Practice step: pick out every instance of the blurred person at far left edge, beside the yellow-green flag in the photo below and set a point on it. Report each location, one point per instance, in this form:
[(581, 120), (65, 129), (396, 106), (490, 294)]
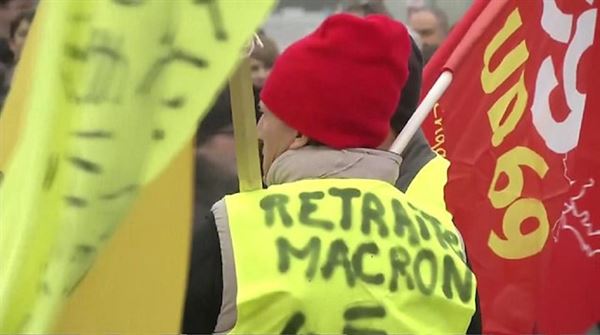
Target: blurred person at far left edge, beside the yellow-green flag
[(18, 31)]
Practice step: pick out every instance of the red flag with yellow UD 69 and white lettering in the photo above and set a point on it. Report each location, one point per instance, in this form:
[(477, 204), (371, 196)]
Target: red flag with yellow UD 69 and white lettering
[(519, 125)]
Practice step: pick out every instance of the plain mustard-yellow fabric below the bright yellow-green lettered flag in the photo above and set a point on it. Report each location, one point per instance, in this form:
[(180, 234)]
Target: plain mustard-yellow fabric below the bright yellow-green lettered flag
[(137, 284)]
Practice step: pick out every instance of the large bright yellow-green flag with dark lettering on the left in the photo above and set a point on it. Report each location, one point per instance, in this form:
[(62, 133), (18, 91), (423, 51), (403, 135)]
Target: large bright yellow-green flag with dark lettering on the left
[(115, 90)]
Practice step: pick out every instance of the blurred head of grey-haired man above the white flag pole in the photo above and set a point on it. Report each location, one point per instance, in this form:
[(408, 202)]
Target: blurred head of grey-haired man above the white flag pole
[(431, 24)]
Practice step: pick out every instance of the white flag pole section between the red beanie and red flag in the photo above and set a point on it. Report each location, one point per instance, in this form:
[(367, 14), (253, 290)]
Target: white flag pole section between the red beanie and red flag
[(434, 94)]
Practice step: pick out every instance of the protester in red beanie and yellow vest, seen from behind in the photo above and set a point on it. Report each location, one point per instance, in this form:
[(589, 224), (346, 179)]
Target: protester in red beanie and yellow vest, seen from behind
[(327, 106)]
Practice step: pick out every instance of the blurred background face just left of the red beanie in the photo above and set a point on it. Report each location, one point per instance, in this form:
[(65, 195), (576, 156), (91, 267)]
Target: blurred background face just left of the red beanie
[(262, 60)]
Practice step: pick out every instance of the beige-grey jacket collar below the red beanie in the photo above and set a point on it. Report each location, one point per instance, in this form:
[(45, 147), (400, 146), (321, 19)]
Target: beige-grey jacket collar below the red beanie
[(319, 162)]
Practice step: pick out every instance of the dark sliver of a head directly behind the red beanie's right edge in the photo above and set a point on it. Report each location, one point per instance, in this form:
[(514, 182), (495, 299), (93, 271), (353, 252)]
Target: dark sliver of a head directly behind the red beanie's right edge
[(411, 93)]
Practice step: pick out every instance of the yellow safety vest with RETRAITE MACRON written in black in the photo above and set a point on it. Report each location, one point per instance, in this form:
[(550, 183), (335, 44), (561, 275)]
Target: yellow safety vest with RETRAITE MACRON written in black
[(345, 256)]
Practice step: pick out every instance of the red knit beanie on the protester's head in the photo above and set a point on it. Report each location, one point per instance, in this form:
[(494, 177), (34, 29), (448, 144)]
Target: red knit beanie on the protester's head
[(341, 84)]
